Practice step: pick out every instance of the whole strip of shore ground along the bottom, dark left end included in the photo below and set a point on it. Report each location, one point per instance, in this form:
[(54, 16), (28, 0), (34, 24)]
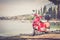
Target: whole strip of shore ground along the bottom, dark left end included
[(37, 37)]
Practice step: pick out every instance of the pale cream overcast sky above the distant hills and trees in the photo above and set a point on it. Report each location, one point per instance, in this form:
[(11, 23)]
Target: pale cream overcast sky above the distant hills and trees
[(20, 7)]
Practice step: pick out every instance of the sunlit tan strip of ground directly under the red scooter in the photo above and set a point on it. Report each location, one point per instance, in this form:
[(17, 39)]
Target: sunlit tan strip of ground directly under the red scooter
[(43, 36)]
